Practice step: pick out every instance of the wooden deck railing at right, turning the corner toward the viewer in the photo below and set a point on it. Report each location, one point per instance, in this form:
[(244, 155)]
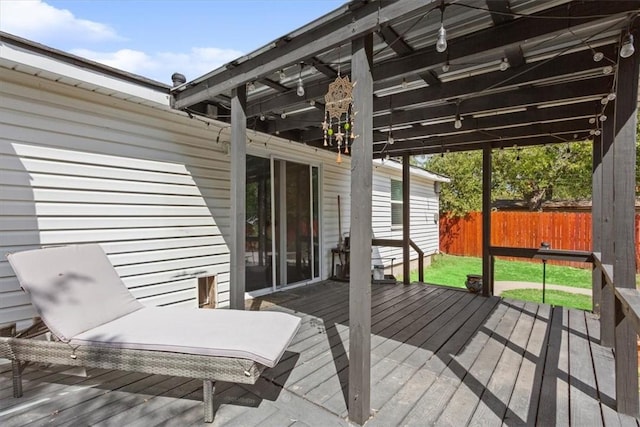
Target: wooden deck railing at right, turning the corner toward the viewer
[(624, 309)]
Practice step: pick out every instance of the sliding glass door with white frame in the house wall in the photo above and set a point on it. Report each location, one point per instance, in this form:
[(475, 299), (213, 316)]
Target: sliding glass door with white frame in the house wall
[(286, 197)]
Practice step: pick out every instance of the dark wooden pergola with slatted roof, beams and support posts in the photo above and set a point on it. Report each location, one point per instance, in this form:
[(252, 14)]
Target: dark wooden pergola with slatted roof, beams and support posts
[(550, 93)]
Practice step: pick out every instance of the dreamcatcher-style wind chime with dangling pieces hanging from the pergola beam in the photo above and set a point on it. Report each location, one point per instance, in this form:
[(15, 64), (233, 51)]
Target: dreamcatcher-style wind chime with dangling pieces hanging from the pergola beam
[(338, 115)]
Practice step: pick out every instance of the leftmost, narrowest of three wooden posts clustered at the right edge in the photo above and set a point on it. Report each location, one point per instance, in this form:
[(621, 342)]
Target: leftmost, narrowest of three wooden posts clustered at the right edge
[(596, 221)]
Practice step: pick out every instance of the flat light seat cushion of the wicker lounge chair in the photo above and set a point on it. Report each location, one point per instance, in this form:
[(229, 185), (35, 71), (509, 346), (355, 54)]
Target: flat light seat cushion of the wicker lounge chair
[(260, 336)]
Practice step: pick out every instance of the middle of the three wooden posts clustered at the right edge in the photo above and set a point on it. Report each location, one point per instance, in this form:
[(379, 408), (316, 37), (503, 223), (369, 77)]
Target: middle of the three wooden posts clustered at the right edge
[(607, 297)]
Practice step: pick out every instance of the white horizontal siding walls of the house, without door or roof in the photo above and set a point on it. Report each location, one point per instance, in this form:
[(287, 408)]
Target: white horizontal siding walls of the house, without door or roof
[(150, 185)]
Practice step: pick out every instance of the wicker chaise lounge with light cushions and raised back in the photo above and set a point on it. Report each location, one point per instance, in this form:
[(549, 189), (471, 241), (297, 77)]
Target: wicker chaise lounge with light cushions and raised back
[(97, 323)]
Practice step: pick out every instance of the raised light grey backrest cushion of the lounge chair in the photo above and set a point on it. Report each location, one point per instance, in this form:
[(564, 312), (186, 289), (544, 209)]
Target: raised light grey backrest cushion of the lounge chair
[(73, 288)]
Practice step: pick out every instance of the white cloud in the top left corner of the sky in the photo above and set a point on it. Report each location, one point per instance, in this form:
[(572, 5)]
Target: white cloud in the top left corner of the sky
[(36, 20)]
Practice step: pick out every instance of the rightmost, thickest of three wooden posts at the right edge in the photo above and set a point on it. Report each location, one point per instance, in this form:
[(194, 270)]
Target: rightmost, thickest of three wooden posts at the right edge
[(624, 160)]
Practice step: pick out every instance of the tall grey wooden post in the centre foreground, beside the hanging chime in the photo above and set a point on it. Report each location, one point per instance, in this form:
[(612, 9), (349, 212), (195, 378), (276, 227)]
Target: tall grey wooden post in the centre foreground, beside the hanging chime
[(361, 193)]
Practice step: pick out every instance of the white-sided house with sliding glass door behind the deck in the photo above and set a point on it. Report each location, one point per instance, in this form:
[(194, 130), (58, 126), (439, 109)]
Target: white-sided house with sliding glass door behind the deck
[(93, 154)]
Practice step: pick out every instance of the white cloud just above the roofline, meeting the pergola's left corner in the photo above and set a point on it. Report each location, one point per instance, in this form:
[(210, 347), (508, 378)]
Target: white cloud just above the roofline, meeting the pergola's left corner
[(159, 66)]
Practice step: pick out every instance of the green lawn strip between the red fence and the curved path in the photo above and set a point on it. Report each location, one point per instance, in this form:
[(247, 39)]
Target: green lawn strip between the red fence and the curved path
[(452, 271)]
